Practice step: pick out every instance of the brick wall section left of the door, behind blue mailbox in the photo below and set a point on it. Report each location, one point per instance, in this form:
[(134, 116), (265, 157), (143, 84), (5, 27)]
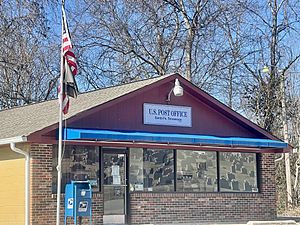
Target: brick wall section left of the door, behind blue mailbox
[(43, 202)]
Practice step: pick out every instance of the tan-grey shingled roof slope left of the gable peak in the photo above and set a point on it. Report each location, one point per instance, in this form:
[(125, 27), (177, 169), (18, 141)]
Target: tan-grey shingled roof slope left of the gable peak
[(25, 120)]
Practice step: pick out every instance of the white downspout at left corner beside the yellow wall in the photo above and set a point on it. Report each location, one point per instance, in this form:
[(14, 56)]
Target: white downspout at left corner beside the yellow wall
[(27, 181)]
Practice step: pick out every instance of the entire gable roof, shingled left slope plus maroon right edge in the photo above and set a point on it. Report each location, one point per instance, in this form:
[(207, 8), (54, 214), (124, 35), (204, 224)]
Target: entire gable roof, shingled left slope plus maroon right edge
[(20, 122)]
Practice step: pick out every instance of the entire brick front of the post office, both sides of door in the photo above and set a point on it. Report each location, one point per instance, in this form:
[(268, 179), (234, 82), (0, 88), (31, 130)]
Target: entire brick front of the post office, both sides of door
[(159, 207)]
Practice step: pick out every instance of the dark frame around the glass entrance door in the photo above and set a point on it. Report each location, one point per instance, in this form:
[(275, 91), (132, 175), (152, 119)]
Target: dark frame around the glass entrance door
[(116, 150)]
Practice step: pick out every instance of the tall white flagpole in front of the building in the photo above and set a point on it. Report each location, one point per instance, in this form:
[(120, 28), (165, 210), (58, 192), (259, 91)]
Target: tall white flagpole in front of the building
[(60, 127)]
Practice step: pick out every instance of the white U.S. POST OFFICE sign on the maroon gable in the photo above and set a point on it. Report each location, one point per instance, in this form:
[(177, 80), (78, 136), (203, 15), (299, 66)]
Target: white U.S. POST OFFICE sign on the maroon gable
[(169, 115)]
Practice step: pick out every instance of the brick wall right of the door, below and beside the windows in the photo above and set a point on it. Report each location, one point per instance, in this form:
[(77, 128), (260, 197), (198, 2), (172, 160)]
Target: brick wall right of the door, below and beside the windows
[(214, 207)]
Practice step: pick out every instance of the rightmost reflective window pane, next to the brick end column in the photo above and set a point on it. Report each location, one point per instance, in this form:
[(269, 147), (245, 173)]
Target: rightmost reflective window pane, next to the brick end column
[(238, 172)]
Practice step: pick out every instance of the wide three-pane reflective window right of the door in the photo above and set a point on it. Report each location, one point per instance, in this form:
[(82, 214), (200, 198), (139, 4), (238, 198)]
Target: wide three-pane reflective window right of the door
[(196, 171)]
